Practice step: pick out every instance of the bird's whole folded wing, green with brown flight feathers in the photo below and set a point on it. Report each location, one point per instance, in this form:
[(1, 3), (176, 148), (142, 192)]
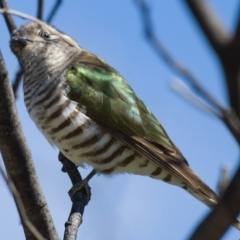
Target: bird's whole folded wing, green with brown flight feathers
[(112, 103)]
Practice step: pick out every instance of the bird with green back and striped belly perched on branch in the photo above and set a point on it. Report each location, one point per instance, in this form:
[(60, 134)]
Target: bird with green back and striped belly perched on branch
[(85, 108)]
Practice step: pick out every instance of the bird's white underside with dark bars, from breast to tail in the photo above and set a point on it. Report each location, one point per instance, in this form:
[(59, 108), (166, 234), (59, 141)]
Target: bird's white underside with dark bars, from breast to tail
[(83, 141)]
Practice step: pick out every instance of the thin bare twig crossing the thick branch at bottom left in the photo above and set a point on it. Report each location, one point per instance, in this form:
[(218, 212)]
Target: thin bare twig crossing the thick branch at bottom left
[(20, 206)]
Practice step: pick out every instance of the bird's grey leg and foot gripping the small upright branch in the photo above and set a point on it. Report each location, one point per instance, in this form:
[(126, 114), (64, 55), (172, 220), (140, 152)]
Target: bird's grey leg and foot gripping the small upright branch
[(83, 184)]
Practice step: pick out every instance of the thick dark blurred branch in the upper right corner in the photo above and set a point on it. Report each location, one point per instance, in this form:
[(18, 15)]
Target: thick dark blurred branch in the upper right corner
[(225, 44)]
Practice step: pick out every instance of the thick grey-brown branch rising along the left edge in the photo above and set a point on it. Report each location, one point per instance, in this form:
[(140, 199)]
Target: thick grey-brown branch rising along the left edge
[(18, 161)]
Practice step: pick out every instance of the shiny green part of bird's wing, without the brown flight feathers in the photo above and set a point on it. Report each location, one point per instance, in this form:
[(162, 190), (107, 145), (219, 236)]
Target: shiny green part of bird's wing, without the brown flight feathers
[(109, 99)]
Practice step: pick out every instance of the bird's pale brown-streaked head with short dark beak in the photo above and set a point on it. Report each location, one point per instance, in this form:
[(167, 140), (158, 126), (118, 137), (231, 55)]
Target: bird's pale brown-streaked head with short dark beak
[(41, 42)]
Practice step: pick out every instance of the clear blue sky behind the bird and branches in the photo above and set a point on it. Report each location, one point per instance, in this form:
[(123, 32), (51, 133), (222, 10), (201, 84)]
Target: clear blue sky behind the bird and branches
[(127, 206)]
